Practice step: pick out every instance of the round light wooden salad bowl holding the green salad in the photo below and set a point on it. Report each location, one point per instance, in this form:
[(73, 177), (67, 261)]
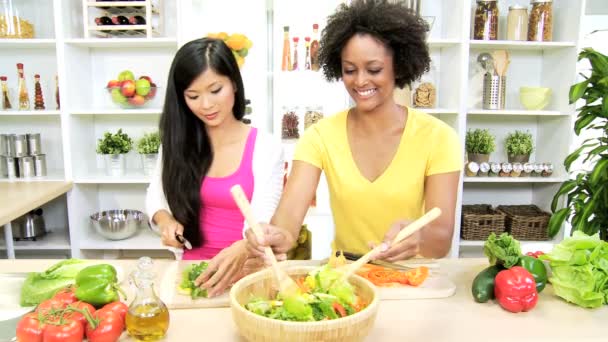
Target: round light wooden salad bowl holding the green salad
[(258, 328)]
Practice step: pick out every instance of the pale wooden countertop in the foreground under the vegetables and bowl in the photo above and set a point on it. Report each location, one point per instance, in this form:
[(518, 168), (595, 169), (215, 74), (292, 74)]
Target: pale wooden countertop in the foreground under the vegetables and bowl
[(457, 318)]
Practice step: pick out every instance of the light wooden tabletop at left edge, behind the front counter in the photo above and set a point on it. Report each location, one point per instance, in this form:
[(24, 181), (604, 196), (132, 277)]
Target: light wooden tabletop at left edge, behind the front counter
[(17, 198)]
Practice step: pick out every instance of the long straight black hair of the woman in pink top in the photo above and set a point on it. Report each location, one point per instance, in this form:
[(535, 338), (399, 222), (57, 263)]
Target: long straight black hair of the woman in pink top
[(187, 153)]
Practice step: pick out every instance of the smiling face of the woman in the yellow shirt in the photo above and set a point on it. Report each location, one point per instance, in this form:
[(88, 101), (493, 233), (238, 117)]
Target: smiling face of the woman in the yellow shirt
[(367, 71)]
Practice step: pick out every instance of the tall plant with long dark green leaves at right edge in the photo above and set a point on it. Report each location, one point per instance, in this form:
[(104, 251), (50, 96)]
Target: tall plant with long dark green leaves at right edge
[(587, 193)]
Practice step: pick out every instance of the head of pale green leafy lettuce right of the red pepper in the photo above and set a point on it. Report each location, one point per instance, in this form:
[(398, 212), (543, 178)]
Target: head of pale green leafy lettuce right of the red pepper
[(579, 266)]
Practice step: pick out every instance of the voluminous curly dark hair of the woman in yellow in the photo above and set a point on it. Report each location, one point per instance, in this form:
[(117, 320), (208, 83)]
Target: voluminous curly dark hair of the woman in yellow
[(400, 29)]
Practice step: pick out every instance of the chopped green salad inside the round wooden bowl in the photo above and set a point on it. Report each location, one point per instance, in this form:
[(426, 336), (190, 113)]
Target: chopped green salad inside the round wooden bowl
[(324, 296)]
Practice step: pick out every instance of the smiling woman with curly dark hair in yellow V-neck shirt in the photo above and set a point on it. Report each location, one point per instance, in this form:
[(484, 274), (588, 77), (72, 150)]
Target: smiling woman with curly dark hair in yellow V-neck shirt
[(385, 164)]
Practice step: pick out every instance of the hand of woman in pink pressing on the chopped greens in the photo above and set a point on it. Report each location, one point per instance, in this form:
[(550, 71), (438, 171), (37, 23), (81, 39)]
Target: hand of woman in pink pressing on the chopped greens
[(223, 269)]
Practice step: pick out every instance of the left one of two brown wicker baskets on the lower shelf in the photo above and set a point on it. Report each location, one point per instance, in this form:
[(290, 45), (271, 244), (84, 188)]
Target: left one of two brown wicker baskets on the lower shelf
[(479, 220)]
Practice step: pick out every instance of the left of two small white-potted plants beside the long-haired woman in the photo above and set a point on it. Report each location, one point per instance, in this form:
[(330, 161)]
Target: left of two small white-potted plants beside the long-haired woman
[(114, 147)]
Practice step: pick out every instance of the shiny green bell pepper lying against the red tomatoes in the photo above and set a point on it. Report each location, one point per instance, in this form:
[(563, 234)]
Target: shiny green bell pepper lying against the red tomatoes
[(98, 285)]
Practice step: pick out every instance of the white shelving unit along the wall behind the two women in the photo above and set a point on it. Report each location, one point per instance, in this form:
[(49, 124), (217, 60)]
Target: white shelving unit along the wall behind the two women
[(85, 65)]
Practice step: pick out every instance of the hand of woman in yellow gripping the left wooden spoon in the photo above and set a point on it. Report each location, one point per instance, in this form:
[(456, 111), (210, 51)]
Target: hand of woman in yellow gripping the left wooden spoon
[(277, 238)]
